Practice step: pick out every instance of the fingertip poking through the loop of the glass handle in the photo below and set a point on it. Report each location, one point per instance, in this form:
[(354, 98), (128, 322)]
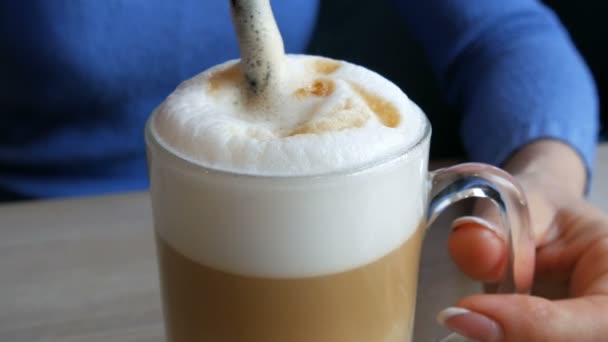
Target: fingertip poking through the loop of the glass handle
[(477, 249)]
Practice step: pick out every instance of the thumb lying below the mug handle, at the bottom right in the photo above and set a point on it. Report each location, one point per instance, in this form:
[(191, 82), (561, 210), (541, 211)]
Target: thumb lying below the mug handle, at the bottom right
[(494, 318)]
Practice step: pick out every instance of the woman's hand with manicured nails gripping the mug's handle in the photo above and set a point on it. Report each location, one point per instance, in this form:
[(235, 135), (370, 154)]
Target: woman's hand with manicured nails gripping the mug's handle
[(569, 300)]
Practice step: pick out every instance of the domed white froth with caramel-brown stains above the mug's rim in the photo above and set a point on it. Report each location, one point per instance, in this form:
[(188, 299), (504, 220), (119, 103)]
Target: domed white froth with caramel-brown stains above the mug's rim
[(329, 116)]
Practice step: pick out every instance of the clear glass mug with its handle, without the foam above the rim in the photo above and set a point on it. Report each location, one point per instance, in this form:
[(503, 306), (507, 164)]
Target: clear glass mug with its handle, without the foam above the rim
[(330, 257)]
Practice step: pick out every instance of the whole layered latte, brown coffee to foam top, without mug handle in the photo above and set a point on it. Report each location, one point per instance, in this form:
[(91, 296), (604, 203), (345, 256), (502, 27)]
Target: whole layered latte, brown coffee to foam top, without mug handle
[(302, 223)]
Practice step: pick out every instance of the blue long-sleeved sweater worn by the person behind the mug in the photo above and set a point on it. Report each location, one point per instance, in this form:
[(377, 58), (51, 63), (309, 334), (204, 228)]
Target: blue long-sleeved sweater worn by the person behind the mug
[(79, 78)]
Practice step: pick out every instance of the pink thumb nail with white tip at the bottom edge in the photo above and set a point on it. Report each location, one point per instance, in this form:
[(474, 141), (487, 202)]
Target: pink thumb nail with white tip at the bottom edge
[(470, 324)]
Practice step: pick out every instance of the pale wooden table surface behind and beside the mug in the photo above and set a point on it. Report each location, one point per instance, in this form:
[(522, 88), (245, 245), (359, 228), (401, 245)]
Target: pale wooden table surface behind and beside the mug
[(85, 270)]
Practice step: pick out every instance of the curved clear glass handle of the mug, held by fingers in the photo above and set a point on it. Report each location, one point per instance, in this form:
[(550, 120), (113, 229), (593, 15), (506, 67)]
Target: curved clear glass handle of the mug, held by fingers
[(473, 180)]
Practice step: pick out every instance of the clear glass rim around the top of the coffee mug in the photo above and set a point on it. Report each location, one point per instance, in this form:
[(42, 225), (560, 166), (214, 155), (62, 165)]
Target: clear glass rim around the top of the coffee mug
[(151, 138)]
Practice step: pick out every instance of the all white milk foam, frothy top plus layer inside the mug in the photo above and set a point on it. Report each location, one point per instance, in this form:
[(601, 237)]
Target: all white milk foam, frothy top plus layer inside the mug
[(289, 226)]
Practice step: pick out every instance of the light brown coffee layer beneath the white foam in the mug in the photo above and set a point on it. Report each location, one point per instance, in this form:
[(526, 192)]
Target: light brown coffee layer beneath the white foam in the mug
[(372, 303)]
